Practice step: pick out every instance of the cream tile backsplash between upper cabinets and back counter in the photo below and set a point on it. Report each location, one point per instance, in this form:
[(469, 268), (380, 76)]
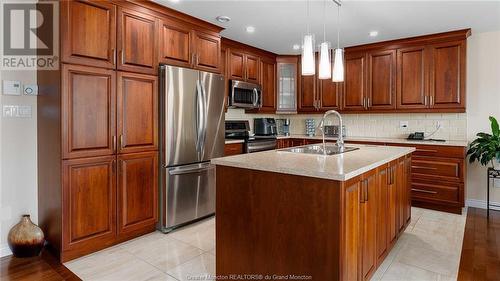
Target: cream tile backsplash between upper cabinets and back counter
[(453, 125)]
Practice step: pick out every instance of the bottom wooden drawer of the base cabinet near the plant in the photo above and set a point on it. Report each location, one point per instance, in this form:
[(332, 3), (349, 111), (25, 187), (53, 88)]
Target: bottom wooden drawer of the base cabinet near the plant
[(433, 191)]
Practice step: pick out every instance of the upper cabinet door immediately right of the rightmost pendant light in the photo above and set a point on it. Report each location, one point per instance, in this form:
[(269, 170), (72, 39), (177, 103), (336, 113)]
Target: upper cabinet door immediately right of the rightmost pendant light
[(354, 82)]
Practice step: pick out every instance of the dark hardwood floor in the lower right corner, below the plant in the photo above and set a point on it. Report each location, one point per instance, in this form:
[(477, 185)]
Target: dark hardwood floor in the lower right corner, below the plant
[(480, 258)]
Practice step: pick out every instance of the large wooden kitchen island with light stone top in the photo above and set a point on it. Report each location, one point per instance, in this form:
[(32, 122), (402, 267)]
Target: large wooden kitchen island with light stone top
[(287, 216)]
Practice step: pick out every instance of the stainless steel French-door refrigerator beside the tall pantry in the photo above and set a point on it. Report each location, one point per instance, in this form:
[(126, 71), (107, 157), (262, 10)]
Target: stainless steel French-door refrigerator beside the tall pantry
[(191, 133)]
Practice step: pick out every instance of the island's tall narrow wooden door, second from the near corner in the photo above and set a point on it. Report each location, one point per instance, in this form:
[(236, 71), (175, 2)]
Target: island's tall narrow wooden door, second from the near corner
[(369, 224)]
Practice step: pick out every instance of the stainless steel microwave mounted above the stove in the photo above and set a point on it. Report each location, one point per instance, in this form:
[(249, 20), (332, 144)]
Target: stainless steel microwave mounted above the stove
[(245, 95)]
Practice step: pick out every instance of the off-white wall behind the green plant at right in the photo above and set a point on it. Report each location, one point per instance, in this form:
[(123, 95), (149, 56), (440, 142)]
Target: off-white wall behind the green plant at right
[(483, 100)]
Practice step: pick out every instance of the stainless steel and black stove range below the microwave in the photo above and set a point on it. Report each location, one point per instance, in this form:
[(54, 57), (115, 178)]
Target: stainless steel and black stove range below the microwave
[(240, 129)]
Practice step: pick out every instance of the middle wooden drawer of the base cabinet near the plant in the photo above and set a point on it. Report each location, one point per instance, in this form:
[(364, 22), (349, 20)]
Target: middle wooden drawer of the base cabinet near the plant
[(437, 168)]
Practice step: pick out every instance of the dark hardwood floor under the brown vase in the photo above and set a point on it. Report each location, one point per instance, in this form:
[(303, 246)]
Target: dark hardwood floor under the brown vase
[(45, 267)]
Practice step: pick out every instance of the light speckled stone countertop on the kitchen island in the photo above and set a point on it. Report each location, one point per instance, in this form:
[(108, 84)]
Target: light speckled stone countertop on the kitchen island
[(339, 167)]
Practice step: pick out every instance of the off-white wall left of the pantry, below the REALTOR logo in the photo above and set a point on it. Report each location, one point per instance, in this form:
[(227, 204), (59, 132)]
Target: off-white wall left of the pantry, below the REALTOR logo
[(18, 160)]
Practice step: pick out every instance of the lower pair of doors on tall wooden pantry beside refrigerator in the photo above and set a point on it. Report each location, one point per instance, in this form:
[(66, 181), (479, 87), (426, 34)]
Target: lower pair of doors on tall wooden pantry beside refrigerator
[(106, 200)]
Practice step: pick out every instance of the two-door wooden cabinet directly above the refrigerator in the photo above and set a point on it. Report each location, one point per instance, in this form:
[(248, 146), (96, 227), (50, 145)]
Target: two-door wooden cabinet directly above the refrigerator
[(181, 45)]
